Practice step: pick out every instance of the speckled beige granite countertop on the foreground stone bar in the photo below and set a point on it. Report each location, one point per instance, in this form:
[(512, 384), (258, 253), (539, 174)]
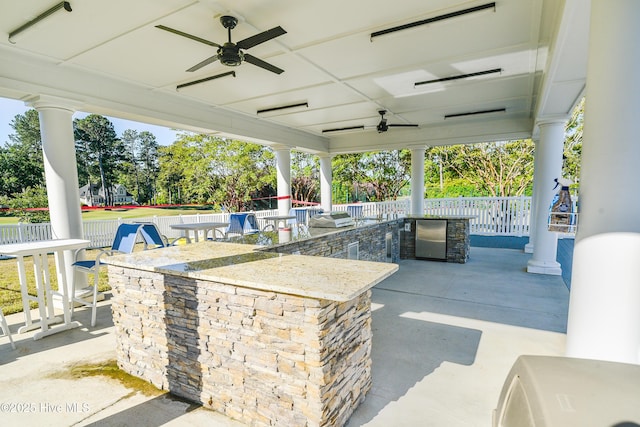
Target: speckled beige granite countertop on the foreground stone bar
[(241, 265)]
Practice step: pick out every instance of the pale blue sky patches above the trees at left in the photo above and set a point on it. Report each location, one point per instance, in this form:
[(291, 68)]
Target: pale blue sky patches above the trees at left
[(9, 108)]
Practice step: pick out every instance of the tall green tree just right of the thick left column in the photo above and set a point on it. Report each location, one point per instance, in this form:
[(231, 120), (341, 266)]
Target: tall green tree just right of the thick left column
[(99, 152)]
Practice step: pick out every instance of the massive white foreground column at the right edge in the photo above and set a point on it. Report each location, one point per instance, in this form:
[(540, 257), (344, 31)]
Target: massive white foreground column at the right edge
[(604, 307)]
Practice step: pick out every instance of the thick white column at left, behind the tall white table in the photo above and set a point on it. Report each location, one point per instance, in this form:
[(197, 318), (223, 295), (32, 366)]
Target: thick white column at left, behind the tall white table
[(61, 174)]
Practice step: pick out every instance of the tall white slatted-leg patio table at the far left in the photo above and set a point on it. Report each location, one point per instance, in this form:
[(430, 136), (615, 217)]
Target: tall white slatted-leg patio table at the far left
[(39, 251)]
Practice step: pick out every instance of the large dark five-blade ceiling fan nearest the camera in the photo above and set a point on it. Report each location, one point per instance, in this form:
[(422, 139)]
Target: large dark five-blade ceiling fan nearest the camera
[(231, 54)]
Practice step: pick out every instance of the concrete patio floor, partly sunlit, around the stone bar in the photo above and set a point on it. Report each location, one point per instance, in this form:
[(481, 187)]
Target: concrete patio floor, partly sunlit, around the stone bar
[(444, 338)]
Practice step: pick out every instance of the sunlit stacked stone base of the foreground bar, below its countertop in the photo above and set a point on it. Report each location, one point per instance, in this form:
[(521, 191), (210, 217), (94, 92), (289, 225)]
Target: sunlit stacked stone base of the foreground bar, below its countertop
[(263, 358)]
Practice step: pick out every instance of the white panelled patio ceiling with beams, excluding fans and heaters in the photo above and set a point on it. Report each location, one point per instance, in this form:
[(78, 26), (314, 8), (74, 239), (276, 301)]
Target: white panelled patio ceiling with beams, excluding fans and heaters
[(108, 57)]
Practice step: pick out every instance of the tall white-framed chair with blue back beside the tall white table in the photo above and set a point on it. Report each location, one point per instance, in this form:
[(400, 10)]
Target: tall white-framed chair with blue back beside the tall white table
[(124, 242)]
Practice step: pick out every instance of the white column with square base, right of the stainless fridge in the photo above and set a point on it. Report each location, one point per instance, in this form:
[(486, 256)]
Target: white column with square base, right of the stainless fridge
[(549, 160)]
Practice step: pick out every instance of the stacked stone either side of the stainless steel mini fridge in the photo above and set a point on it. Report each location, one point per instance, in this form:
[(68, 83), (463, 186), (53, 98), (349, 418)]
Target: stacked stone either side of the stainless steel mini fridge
[(458, 240)]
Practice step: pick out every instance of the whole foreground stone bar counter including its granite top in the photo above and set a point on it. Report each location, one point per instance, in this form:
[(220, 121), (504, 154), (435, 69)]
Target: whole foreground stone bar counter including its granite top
[(265, 338)]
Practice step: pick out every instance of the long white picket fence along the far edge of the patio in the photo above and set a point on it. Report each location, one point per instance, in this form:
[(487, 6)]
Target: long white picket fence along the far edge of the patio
[(505, 216)]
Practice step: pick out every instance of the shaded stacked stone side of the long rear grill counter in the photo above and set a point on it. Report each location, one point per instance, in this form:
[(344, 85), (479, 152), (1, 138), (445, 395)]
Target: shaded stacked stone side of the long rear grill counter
[(371, 241)]
